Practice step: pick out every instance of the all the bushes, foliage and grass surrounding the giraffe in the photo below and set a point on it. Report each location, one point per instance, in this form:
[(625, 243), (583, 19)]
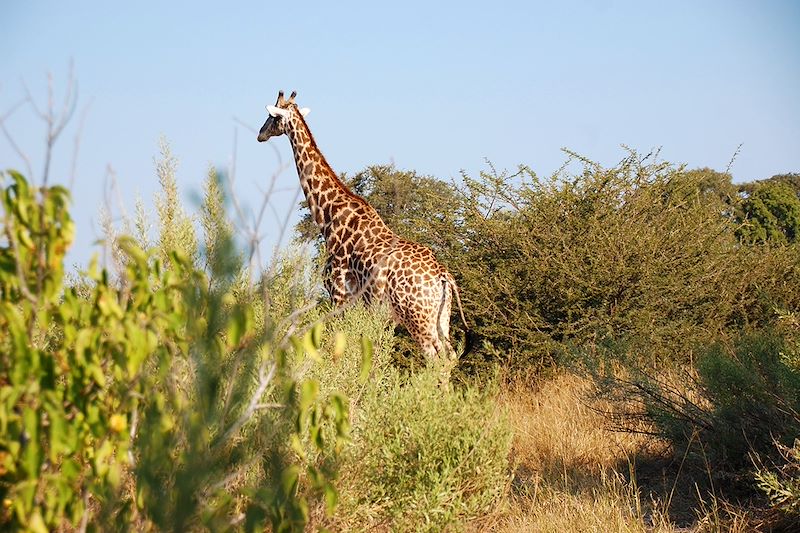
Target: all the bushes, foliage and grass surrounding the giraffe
[(636, 363)]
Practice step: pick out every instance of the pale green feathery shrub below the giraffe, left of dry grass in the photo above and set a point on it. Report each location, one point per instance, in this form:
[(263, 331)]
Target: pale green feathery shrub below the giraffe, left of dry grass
[(441, 464)]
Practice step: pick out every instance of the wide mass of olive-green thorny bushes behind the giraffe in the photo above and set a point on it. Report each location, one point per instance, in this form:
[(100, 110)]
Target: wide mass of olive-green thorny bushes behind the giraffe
[(644, 251)]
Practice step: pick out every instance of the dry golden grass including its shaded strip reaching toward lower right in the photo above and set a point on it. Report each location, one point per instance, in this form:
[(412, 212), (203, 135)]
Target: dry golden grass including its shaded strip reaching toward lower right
[(572, 473)]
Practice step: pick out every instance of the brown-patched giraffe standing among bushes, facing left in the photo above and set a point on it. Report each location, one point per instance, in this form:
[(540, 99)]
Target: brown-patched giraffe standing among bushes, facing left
[(366, 259)]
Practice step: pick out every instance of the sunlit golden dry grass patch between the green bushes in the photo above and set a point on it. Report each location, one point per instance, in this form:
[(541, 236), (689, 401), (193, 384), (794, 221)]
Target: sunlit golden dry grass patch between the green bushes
[(569, 468)]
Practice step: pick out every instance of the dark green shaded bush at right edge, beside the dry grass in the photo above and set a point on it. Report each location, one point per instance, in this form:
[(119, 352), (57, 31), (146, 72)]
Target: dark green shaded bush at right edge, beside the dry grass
[(731, 406)]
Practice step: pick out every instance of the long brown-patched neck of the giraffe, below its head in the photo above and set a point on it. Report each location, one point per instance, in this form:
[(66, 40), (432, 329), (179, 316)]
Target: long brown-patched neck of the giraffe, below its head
[(322, 189)]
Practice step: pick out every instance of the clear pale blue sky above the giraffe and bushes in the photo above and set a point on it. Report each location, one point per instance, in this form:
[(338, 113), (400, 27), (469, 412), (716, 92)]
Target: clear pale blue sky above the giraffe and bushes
[(435, 87)]
